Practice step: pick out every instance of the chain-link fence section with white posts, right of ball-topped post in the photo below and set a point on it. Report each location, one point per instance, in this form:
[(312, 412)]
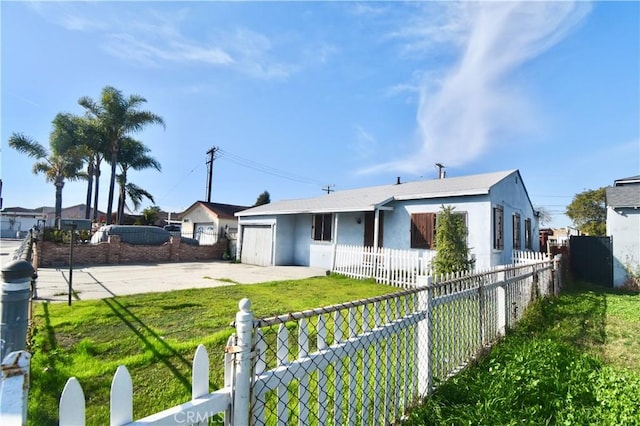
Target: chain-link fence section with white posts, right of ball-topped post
[(367, 362)]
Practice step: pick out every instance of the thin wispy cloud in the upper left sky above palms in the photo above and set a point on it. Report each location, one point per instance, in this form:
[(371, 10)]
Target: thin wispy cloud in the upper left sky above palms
[(155, 38)]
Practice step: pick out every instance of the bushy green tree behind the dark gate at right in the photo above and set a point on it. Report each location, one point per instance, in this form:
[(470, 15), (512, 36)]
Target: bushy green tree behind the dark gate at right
[(588, 212)]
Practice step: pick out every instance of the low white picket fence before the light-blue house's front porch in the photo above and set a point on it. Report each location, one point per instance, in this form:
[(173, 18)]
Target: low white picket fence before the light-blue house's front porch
[(400, 268)]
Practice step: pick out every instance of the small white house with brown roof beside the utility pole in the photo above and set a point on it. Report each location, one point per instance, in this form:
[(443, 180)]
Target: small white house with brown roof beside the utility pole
[(207, 222)]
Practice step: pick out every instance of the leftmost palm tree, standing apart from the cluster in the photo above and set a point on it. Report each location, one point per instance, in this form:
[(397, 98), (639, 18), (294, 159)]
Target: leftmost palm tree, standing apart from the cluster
[(60, 163)]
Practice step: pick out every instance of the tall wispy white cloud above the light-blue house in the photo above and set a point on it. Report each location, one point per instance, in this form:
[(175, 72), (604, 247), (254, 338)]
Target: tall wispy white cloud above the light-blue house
[(464, 110)]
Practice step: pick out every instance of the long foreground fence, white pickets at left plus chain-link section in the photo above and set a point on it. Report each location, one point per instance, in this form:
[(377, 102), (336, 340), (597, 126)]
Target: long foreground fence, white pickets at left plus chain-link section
[(365, 362)]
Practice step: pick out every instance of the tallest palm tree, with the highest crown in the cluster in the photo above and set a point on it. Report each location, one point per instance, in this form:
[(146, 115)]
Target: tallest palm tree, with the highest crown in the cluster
[(118, 117)]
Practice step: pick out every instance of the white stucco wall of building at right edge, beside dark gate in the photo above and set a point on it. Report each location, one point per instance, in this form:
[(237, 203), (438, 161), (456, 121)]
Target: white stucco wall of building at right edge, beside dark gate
[(623, 225)]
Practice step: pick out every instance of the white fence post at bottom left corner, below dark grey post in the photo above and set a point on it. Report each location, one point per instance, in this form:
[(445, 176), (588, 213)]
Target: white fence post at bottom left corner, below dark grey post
[(14, 388)]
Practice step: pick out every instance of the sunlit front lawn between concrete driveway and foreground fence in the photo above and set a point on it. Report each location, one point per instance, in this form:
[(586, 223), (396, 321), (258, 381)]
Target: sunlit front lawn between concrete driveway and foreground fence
[(155, 335)]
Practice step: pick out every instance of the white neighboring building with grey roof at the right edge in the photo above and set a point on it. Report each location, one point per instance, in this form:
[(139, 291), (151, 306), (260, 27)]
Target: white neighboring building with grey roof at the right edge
[(623, 226)]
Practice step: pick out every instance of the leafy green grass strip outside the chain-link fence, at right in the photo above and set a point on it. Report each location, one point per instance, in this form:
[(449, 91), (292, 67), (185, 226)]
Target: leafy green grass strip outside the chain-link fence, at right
[(572, 360)]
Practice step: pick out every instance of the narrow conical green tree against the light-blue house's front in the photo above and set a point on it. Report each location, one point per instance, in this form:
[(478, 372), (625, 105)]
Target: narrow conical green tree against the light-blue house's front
[(452, 252)]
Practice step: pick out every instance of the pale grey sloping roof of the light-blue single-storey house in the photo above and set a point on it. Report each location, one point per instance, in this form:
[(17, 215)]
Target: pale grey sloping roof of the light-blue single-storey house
[(368, 199)]
